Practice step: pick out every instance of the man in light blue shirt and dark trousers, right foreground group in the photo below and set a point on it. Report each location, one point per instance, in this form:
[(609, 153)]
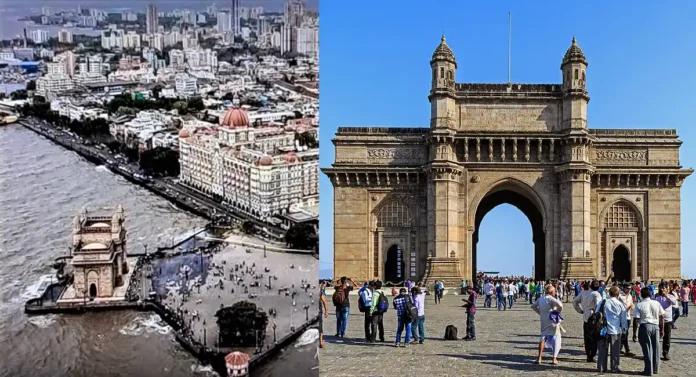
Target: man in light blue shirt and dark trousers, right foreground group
[(613, 324)]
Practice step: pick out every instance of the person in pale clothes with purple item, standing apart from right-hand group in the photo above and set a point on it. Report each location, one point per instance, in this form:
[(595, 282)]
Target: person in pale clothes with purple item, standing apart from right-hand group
[(549, 308)]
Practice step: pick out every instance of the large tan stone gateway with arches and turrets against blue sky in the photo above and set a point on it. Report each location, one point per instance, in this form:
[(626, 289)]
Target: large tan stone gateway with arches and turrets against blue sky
[(408, 202)]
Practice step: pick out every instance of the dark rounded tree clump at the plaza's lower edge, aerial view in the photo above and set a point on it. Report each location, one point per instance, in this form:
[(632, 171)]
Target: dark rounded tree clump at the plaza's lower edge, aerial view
[(241, 325)]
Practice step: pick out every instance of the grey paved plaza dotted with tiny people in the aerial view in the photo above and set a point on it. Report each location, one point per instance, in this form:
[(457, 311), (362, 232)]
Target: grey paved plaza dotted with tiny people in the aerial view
[(285, 270)]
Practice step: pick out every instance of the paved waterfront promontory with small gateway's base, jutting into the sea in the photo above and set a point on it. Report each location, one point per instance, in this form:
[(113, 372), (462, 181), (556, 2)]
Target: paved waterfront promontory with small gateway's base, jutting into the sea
[(187, 282)]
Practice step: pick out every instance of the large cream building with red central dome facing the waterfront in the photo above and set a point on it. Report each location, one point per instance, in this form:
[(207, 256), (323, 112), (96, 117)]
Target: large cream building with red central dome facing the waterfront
[(258, 171)]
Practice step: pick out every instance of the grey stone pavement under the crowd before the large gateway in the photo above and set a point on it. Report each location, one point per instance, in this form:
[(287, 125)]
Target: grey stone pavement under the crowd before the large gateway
[(506, 345)]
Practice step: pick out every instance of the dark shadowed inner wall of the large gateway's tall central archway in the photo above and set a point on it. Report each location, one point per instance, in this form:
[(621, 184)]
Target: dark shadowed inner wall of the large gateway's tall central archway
[(530, 210)]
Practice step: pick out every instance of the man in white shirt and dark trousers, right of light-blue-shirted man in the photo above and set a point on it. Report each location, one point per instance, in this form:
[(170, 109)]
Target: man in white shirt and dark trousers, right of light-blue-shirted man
[(650, 316)]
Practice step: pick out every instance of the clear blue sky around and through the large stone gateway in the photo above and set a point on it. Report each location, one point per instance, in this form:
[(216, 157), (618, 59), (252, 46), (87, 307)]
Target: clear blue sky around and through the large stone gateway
[(375, 72)]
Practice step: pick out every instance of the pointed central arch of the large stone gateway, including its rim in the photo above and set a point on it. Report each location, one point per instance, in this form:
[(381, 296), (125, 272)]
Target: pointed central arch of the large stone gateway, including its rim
[(524, 198)]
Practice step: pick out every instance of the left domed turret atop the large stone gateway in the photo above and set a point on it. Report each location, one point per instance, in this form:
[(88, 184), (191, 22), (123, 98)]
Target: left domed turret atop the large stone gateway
[(442, 92)]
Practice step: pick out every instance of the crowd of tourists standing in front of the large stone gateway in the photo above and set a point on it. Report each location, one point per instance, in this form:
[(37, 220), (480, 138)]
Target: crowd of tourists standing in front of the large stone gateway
[(609, 309)]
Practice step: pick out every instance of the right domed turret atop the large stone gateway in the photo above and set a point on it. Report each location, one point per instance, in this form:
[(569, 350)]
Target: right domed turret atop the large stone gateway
[(575, 97)]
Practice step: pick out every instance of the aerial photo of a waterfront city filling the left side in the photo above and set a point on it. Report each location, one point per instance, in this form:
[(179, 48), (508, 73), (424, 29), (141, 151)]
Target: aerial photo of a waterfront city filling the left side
[(183, 145)]
